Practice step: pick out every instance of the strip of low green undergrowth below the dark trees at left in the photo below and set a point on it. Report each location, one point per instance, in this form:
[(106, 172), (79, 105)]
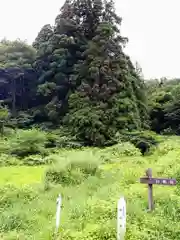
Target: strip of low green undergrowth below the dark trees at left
[(32, 147)]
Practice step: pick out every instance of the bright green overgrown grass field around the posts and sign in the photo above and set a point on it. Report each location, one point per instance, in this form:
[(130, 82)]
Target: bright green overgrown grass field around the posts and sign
[(91, 181)]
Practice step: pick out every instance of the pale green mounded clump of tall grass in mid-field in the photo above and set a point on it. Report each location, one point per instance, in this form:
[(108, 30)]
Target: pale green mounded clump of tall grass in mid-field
[(71, 172)]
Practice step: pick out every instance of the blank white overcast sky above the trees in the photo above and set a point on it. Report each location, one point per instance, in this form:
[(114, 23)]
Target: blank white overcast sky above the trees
[(152, 27)]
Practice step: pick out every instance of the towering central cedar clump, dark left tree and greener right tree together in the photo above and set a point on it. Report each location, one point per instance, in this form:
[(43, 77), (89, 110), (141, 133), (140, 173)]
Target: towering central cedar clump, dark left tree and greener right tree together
[(83, 64)]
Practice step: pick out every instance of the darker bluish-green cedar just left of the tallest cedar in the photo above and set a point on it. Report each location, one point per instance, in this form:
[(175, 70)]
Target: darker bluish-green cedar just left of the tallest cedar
[(57, 55)]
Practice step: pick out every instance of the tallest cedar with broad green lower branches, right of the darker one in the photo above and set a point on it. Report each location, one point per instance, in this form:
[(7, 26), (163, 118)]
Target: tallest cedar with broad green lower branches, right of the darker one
[(110, 97)]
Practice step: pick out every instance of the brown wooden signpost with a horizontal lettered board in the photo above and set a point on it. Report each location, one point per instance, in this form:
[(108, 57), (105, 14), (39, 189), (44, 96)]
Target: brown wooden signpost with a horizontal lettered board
[(150, 181)]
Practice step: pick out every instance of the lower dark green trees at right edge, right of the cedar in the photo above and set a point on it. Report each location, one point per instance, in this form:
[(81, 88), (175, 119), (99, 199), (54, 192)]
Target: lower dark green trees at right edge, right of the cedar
[(164, 106)]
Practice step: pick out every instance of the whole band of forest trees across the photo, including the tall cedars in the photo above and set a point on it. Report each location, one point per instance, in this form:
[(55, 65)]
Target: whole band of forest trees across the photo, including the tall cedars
[(76, 77)]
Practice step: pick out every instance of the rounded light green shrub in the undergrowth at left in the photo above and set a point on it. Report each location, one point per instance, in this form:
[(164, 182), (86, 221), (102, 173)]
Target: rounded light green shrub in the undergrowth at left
[(27, 142)]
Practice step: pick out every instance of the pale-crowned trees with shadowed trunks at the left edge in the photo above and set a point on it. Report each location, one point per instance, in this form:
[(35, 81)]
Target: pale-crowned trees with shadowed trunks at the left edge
[(17, 84)]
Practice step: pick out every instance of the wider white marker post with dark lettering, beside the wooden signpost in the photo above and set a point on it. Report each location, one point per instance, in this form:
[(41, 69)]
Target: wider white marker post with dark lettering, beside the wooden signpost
[(121, 218)]
